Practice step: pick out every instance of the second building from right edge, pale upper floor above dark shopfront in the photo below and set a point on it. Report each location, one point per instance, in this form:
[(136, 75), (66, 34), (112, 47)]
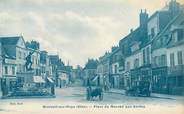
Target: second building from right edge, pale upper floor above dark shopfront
[(160, 48)]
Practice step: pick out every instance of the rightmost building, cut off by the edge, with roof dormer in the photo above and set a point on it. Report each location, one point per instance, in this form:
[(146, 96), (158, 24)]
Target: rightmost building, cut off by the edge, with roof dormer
[(175, 56)]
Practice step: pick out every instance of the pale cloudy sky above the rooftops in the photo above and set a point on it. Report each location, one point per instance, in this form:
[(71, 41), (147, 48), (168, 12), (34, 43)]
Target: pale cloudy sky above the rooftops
[(74, 29)]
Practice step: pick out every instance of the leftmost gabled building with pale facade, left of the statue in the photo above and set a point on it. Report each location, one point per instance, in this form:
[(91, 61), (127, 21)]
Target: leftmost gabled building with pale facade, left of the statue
[(13, 53)]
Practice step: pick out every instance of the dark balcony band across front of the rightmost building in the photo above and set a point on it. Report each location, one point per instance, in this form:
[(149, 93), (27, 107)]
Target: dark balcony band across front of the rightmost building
[(176, 70)]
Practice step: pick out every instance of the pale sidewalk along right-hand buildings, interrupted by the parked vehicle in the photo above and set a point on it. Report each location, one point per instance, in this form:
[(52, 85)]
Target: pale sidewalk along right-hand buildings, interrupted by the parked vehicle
[(153, 95)]
